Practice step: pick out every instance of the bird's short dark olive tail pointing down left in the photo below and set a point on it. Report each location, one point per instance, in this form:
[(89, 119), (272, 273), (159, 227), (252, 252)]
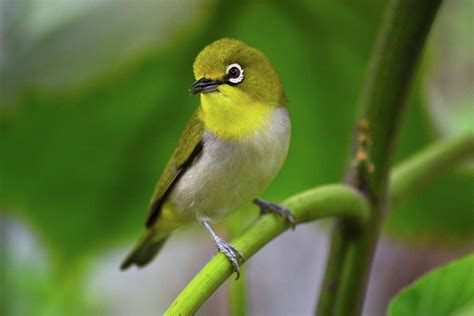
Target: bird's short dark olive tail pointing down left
[(145, 250)]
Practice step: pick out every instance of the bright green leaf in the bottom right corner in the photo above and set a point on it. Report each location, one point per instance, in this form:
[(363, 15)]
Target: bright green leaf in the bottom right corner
[(448, 290)]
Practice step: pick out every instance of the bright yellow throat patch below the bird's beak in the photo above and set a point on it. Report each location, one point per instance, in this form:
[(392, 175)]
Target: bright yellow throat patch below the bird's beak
[(232, 114)]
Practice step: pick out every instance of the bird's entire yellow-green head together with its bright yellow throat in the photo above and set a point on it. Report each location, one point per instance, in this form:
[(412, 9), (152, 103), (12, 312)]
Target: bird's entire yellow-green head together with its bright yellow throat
[(239, 87)]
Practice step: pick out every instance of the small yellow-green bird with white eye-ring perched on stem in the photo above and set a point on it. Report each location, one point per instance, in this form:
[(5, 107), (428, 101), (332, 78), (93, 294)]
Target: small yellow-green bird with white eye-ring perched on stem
[(230, 151)]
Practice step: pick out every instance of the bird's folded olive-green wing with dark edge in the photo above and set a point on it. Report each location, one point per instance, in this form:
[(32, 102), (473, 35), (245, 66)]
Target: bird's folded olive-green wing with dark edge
[(187, 152)]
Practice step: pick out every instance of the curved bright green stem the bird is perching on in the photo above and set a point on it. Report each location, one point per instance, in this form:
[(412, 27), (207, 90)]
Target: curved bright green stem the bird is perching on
[(326, 201)]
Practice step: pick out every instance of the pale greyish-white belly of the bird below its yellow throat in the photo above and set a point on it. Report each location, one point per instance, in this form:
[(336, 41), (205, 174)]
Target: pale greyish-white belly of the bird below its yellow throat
[(230, 174)]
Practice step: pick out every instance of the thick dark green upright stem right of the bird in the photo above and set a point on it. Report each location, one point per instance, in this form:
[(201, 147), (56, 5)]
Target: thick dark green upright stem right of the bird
[(401, 39)]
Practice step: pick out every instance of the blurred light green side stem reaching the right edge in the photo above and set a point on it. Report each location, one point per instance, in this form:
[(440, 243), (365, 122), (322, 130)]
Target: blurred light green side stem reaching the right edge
[(419, 169)]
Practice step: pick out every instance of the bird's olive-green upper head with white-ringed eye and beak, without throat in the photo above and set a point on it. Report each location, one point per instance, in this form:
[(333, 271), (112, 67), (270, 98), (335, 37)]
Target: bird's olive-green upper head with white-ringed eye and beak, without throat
[(229, 68)]
